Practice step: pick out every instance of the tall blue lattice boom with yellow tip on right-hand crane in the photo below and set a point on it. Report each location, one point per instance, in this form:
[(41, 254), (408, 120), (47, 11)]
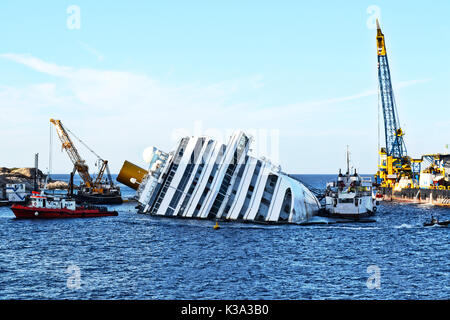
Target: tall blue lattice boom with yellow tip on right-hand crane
[(395, 145)]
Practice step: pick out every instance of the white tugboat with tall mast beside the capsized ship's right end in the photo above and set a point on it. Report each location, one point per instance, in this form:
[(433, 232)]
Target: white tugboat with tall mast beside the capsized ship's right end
[(350, 196)]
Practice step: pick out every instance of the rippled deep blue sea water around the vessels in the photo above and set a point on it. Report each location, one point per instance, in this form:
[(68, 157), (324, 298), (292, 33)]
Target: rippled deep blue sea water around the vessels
[(136, 256)]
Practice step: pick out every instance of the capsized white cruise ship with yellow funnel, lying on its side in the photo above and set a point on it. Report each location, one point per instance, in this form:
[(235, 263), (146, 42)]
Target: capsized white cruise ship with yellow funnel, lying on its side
[(205, 179)]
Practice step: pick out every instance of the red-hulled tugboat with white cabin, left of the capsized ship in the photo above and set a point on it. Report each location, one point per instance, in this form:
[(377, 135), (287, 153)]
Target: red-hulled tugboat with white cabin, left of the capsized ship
[(45, 207)]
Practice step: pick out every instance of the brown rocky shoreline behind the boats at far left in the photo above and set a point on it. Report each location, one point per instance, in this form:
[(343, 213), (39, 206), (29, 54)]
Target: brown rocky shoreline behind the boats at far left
[(26, 176)]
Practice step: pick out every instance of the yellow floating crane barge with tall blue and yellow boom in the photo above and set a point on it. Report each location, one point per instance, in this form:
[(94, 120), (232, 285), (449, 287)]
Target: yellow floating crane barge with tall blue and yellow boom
[(400, 177)]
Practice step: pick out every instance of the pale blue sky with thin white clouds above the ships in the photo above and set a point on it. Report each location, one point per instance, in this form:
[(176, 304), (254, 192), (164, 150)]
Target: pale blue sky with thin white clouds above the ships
[(142, 73)]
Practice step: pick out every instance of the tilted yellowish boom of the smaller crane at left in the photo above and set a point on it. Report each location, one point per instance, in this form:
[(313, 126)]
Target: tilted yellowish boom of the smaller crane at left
[(67, 144)]
